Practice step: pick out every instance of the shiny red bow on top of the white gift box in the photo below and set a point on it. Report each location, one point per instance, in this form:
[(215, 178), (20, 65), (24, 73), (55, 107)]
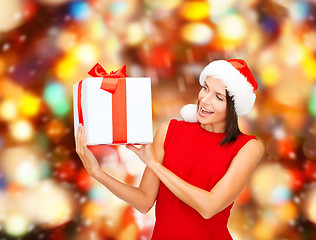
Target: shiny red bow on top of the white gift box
[(110, 81)]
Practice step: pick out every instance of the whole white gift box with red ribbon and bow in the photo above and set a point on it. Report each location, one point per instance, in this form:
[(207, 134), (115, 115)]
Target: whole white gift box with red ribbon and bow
[(114, 108)]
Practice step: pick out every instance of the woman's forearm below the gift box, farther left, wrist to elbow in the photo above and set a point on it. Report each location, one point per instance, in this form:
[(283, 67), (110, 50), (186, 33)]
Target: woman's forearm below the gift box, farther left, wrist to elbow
[(130, 194)]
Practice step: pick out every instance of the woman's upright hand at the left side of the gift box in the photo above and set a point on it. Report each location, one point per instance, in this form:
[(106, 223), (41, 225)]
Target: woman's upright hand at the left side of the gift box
[(88, 159)]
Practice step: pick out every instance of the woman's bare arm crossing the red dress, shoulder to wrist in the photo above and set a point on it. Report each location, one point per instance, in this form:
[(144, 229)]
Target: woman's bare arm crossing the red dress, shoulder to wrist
[(222, 194)]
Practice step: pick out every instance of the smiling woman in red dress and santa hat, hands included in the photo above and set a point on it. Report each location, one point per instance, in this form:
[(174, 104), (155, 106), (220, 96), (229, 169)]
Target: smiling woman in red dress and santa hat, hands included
[(195, 168)]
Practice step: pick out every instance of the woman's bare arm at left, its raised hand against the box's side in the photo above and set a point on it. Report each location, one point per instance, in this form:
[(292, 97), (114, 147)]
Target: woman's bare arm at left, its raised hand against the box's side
[(143, 197)]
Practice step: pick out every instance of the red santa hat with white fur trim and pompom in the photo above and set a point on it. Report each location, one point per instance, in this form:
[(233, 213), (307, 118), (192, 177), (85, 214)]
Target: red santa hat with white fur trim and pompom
[(239, 81)]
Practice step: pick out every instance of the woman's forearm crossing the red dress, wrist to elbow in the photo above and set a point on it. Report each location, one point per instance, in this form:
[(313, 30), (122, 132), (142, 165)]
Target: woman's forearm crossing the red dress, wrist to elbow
[(195, 197)]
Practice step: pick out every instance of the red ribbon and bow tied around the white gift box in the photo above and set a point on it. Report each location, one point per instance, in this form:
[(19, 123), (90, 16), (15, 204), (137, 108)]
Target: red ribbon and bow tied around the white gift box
[(115, 83)]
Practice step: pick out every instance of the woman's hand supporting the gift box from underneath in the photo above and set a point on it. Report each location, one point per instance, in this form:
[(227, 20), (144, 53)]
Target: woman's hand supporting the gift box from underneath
[(145, 153)]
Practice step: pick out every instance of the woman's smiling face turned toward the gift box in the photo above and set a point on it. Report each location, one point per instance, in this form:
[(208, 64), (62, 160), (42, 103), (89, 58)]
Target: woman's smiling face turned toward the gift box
[(212, 105)]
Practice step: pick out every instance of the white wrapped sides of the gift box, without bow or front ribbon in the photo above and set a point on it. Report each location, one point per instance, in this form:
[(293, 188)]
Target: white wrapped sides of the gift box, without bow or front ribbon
[(97, 109)]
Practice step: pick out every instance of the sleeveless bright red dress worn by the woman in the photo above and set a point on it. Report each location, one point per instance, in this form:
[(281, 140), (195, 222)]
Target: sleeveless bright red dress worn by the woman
[(195, 155)]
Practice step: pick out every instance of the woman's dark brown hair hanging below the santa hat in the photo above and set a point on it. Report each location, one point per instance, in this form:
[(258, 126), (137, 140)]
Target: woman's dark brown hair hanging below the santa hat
[(231, 126)]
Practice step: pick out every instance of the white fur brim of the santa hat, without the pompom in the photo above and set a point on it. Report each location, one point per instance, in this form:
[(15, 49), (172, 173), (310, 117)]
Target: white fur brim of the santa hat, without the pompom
[(236, 84)]
